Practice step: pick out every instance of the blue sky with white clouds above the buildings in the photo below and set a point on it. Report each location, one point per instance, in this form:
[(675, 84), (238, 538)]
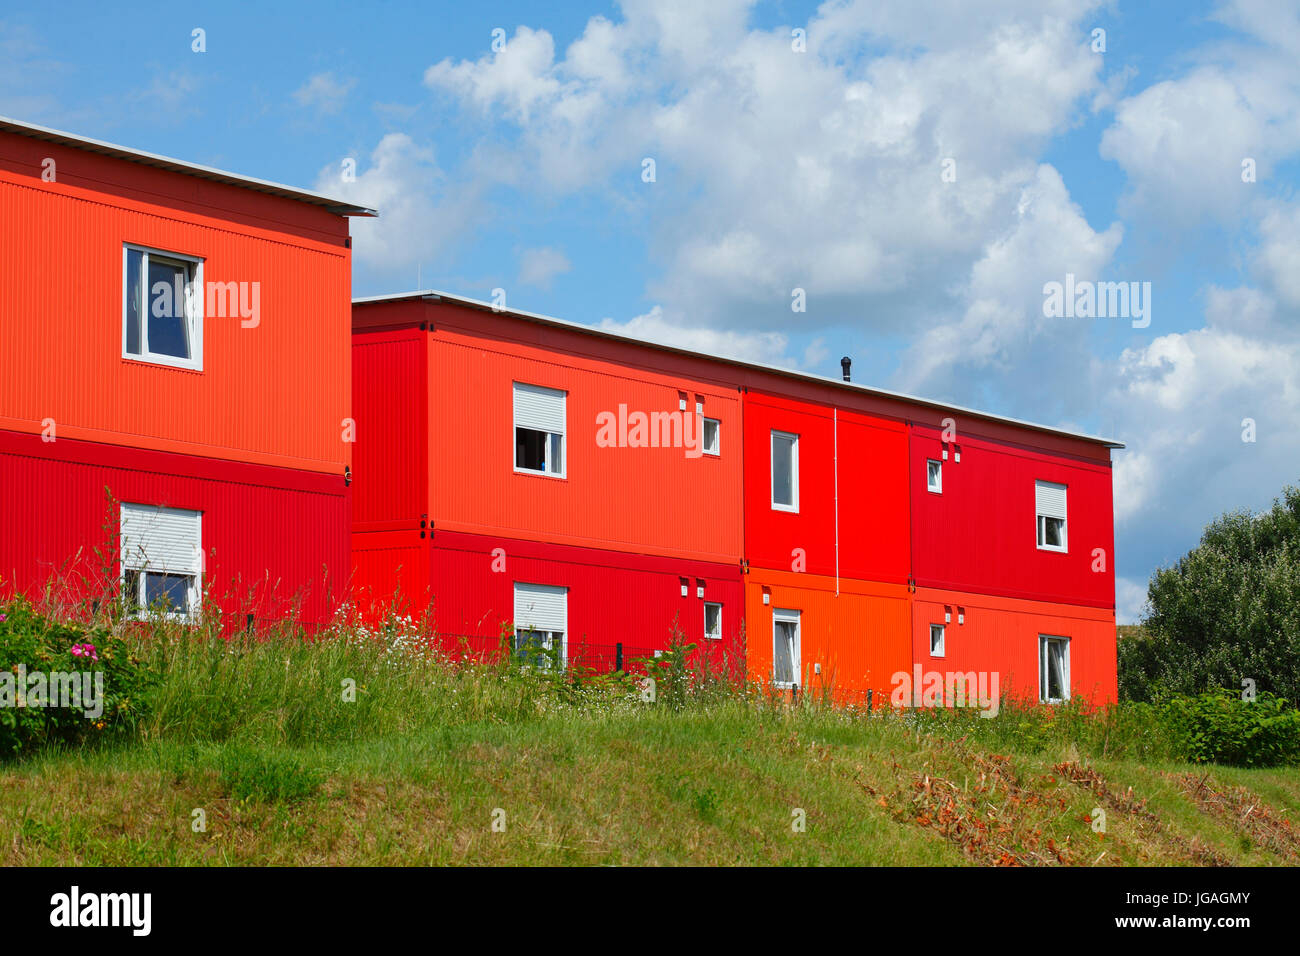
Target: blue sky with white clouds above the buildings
[(521, 167)]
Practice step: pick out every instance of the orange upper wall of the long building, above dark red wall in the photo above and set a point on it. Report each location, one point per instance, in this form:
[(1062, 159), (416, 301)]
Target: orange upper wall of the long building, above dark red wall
[(642, 500)]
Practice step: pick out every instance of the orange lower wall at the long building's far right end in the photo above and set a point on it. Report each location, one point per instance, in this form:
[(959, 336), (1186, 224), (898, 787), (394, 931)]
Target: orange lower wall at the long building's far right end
[(1003, 634)]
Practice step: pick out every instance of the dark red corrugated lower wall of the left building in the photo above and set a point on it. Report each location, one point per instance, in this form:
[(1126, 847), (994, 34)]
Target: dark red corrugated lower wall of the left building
[(274, 540)]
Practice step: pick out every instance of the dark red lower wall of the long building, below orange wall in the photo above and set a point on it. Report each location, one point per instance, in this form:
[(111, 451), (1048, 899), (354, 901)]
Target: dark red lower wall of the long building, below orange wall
[(613, 598)]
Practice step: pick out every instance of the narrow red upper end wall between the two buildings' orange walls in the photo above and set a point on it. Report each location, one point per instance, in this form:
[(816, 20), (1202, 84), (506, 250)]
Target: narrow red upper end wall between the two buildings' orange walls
[(389, 404)]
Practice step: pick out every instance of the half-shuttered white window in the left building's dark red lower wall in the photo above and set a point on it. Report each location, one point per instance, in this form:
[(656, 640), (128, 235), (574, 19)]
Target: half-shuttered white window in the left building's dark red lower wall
[(162, 561)]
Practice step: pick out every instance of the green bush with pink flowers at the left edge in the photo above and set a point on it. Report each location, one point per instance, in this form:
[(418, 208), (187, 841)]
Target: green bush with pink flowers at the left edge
[(34, 704)]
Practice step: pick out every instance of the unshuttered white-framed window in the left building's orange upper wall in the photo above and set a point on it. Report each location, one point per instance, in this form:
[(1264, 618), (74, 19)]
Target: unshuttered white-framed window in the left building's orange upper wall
[(162, 308)]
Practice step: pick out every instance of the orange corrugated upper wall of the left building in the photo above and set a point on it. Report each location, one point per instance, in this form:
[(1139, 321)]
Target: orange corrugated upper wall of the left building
[(274, 395)]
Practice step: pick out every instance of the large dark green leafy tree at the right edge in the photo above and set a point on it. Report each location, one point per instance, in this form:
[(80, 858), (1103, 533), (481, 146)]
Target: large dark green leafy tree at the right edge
[(1229, 611)]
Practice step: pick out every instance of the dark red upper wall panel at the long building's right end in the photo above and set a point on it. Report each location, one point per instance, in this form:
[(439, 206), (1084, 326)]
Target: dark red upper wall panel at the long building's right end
[(981, 537)]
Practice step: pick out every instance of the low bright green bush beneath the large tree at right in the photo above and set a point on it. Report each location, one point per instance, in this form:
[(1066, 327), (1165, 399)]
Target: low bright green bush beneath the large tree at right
[(1220, 728)]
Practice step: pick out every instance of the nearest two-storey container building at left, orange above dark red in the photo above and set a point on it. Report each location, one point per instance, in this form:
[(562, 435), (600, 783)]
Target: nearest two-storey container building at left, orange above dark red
[(176, 386)]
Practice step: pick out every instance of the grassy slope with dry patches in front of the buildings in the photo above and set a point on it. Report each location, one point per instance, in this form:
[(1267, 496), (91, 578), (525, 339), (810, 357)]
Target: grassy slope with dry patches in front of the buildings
[(258, 742)]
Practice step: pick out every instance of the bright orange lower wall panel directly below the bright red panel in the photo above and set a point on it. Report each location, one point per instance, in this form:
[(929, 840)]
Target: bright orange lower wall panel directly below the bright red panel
[(860, 637)]
